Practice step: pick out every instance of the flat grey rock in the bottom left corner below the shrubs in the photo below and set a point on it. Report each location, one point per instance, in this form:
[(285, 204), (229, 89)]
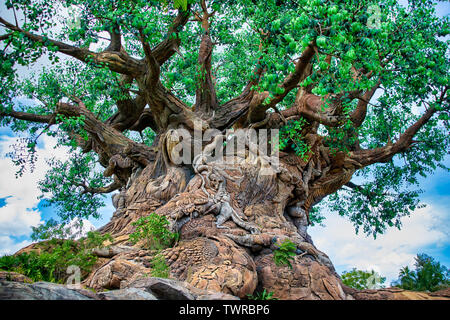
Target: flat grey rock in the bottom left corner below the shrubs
[(39, 291)]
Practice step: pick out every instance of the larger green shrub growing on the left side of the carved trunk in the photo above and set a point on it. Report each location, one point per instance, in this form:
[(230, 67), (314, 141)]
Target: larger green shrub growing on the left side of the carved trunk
[(153, 230)]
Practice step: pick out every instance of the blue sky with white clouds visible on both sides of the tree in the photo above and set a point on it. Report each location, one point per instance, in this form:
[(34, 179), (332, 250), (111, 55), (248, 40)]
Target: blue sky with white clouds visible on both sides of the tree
[(427, 230)]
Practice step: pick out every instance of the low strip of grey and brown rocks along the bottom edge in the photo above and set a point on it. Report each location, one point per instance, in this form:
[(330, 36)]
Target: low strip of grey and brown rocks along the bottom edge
[(14, 286)]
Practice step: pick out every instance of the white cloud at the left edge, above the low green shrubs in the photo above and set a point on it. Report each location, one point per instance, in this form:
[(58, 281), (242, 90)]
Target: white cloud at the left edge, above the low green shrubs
[(20, 212)]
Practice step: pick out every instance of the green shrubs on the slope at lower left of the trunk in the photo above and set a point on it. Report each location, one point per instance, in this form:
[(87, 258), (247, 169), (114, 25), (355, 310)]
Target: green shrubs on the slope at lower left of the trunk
[(55, 257)]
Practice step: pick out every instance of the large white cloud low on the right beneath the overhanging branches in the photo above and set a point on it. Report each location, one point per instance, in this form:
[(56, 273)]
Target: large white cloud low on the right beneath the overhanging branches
[(426, 227)]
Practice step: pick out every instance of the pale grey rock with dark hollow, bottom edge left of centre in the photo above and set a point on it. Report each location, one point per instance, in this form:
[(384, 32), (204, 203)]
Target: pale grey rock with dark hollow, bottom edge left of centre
[(170, 289)]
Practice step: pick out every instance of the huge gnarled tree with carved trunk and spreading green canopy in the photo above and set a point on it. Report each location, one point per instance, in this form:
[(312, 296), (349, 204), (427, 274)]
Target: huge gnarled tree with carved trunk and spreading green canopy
[(357, 89)]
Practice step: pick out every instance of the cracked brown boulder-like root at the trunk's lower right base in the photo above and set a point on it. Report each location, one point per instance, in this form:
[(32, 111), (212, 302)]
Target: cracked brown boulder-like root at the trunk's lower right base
[(307, 280)]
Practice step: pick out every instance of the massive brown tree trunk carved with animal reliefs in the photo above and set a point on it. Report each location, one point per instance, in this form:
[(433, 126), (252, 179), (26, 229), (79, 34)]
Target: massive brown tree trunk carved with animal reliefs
[(231, 218)]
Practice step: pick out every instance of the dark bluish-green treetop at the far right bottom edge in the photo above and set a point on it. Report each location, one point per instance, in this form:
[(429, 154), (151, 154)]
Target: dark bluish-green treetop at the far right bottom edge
[(429, 275)]
